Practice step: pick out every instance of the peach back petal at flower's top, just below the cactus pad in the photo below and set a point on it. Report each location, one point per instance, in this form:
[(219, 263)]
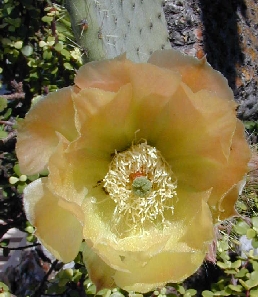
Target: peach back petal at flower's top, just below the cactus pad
[(111, 75)]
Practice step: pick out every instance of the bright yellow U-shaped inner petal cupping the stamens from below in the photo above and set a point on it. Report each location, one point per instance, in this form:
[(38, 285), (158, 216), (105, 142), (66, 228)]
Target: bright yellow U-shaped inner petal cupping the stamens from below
[(178, 237)]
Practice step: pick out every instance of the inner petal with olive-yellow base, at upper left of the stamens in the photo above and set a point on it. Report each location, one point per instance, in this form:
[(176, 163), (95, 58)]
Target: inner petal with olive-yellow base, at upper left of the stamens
[(108, 129)]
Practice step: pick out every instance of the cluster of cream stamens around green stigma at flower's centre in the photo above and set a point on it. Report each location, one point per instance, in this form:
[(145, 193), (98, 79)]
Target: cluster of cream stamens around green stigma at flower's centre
[(142, 185)]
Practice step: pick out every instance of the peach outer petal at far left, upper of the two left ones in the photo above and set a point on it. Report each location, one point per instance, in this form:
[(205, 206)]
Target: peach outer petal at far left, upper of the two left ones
[(38, 132)]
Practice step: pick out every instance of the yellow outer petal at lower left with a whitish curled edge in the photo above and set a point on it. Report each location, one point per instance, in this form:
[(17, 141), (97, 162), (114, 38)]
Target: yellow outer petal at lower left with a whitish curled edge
[(57, 228)]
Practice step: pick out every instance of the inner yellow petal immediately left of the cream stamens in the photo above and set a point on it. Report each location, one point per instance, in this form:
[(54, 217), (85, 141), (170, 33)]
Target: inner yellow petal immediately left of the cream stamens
[(75, 173)]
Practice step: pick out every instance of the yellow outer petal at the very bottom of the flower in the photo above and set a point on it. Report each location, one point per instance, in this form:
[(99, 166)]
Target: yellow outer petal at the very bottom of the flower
[(159, 270)]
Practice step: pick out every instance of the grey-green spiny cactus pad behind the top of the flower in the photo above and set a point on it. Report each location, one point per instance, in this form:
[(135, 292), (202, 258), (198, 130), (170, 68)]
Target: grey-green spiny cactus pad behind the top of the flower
[(108, 28)]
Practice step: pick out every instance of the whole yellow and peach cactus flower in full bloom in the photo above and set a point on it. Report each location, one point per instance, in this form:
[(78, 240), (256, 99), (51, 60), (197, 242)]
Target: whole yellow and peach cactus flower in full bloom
[(143, 160)]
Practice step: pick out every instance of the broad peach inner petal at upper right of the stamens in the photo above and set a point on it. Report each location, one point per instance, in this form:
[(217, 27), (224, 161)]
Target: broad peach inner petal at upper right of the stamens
[(208, 120)]
